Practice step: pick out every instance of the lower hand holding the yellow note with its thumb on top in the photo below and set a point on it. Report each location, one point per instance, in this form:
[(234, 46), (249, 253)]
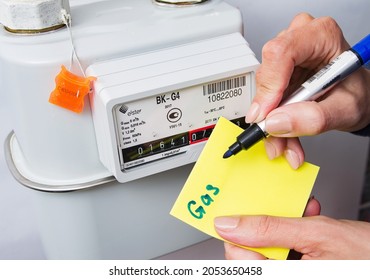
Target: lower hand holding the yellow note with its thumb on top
[(315, 237)]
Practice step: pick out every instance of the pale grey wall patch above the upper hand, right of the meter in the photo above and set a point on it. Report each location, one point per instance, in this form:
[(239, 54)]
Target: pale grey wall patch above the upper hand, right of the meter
[(264, 19)]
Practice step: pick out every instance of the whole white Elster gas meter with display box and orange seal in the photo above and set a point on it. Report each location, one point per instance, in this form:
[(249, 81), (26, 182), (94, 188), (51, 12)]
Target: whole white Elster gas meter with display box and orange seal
[(162, 73)]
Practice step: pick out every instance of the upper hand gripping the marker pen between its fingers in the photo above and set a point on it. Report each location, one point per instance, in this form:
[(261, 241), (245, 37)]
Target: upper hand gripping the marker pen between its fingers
[(287, 61)]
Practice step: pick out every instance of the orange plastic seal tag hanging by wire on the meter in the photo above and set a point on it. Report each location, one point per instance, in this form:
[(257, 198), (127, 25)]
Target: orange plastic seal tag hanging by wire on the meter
[(70, 90)]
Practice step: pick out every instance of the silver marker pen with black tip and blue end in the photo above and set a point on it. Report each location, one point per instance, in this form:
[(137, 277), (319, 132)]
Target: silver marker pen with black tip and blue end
[(342, 66)]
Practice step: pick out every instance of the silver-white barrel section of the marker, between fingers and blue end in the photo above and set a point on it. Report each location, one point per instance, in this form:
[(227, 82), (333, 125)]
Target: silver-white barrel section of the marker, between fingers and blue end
[(326, 78)]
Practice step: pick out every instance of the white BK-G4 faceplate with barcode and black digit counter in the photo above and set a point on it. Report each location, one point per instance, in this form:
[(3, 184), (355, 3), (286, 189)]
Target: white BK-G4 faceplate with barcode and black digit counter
[(168, 124)]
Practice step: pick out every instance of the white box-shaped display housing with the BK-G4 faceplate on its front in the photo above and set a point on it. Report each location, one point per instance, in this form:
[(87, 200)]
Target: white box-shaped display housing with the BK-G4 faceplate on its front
[(158, 116)]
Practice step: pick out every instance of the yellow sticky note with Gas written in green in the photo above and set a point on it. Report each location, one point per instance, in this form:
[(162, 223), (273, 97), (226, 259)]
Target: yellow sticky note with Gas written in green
[(246, 184)]
